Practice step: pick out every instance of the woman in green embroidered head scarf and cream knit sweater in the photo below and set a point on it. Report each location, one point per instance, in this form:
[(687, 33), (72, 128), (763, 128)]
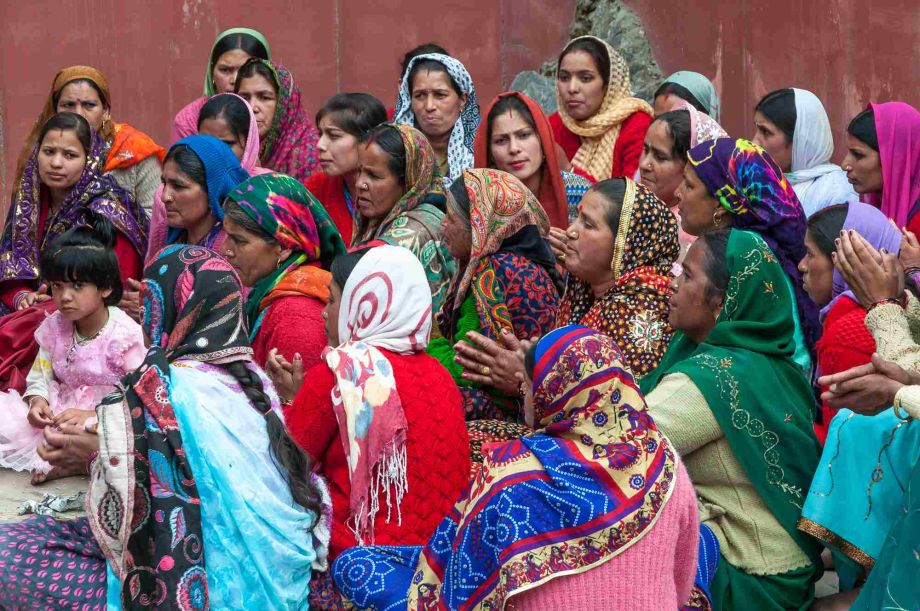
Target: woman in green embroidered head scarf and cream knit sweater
[(739, 412)]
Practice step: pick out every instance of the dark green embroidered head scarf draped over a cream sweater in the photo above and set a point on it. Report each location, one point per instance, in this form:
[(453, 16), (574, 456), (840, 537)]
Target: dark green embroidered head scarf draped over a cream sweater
[(759, 396)]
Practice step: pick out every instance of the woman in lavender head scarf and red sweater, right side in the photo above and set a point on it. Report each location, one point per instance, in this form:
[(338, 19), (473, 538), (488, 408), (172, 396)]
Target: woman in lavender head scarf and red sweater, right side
[(845, 341)]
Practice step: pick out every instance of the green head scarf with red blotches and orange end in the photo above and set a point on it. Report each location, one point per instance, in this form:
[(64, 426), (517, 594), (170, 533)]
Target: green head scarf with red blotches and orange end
[(286, 211)]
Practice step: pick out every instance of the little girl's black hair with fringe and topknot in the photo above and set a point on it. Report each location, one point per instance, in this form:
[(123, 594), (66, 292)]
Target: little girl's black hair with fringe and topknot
[(85, 253)]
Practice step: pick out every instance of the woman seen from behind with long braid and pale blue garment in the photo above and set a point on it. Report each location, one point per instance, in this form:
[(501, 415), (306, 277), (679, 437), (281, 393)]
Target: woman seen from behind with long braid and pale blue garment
[(183, 501)]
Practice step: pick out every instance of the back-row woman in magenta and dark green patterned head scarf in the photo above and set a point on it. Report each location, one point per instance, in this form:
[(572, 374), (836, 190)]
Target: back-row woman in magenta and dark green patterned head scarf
[(288, 137)]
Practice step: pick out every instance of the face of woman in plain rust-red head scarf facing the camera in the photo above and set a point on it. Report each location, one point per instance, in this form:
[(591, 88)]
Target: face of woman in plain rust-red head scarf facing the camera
[(515, 146)]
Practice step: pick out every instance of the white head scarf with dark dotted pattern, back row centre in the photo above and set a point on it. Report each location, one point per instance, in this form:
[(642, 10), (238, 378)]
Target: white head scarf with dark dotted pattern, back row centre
[(460, 145)]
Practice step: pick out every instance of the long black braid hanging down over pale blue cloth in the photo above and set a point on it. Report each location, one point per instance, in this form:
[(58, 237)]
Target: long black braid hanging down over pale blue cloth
[(289, 458)]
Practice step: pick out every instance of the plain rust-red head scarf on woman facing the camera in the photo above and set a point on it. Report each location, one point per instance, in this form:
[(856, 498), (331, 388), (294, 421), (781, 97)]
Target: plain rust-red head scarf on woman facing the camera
[(552, 188)]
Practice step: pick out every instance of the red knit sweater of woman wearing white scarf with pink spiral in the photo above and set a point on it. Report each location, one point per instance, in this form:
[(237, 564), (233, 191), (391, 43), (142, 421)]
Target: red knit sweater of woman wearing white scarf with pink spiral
[(437, 449)]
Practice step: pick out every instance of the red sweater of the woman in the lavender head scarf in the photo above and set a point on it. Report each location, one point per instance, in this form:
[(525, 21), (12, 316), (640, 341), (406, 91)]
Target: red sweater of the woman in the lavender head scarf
[(845, 343)]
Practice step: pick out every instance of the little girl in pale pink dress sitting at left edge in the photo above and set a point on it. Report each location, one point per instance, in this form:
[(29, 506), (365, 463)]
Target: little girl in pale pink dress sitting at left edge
[(85, 347)]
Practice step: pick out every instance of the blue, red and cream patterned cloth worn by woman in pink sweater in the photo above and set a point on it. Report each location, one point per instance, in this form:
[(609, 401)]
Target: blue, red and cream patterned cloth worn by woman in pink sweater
[(563, 500)]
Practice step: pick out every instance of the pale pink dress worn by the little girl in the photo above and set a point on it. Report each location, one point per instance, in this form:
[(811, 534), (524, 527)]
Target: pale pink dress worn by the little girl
[(68, 375)]
